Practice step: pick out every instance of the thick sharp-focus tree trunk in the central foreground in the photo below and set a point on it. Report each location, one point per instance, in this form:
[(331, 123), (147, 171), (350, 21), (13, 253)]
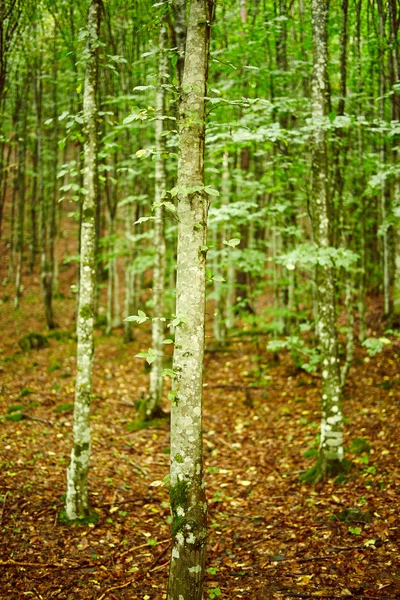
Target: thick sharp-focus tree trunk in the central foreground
[(188, 501)]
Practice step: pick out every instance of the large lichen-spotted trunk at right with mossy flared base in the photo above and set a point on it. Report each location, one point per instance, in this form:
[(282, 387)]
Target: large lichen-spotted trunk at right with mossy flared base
[(331, 447)]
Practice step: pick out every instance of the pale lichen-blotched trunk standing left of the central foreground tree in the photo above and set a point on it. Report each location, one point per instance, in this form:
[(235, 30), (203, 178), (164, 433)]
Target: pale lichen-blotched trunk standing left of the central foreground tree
[(77, 501)]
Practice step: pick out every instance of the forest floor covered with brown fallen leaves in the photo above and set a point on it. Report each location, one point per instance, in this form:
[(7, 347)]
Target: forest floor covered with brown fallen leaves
[(270, 536)]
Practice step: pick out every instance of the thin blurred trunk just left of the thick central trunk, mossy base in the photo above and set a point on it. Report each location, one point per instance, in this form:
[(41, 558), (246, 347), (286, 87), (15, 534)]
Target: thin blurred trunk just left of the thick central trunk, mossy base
[(153, 402)]
